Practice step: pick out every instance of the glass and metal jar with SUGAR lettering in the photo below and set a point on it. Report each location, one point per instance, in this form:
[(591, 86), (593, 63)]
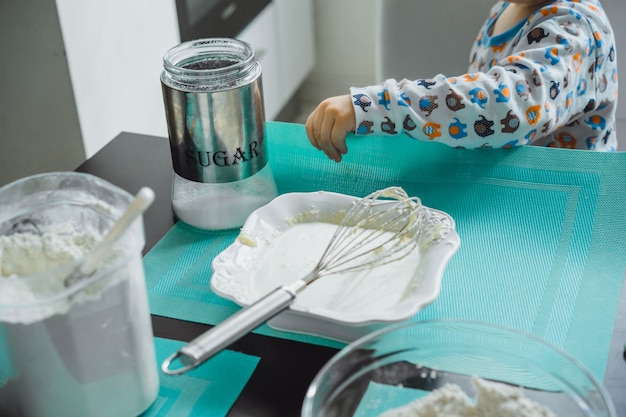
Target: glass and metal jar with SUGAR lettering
[(213, 98)]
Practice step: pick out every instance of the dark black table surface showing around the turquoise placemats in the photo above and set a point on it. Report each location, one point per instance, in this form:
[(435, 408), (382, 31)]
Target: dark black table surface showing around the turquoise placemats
[(279, 383)]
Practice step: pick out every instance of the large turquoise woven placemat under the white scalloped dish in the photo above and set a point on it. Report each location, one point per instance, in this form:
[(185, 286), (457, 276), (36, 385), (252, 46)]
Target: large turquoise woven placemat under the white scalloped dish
[(543, 234)]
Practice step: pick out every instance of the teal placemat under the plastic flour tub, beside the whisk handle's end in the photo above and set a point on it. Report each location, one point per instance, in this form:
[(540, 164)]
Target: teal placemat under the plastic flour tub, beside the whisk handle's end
[(209, 390)]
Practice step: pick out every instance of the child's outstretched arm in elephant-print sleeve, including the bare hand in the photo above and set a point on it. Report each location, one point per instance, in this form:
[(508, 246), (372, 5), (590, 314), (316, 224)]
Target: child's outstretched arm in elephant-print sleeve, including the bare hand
[(542, 81)]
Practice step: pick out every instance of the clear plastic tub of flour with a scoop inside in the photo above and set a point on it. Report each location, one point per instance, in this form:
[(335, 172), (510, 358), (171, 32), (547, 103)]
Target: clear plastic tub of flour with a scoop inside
[(79, 347)]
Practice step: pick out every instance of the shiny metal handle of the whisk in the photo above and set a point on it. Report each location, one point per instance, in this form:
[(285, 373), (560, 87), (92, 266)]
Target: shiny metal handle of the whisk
[(232, 329)]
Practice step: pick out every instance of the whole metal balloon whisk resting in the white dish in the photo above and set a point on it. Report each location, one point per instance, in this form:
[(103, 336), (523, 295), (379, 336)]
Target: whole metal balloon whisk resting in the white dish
[(378, 229)]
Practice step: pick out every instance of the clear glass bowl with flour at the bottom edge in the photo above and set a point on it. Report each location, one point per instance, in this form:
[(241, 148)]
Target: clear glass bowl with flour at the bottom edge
[(397, 365)]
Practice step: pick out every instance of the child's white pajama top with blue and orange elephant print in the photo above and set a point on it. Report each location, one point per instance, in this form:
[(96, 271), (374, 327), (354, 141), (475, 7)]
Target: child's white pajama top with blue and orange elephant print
[(549, 81)]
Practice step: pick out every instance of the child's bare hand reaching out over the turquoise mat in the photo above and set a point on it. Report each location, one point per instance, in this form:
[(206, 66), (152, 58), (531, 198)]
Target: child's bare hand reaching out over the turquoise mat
[(329, 124)]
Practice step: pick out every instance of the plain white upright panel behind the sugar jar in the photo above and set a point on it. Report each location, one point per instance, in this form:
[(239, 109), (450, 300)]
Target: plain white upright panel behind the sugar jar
[(114, 51)]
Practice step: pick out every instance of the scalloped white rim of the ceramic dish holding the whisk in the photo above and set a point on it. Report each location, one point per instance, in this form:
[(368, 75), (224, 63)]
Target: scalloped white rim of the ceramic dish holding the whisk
[(268, 221)]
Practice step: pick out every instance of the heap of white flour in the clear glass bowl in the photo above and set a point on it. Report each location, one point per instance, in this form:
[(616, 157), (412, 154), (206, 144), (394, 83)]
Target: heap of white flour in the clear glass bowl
[(492, 400)]
